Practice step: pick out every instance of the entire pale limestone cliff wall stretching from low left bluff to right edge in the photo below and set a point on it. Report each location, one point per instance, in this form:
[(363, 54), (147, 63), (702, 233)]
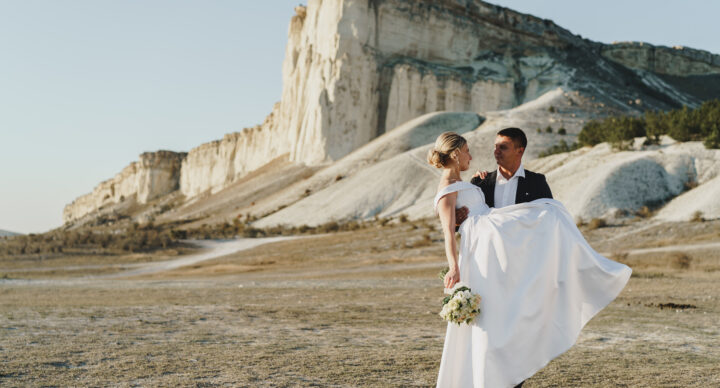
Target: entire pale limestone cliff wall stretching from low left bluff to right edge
[(355, 69)]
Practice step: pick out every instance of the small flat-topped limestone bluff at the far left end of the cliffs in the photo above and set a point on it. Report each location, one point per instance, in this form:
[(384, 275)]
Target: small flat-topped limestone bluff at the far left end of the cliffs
[(154, 175)]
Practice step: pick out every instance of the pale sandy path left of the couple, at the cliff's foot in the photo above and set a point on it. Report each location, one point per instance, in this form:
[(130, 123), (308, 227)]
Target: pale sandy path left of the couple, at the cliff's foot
[(213, 249)]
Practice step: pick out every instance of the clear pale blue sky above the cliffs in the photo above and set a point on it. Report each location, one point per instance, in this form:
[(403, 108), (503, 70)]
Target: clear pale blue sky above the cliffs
[(88, 85)]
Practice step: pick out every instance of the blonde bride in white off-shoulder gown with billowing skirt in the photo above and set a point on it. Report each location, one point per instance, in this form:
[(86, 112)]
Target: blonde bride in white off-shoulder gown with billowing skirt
[(539, 279)]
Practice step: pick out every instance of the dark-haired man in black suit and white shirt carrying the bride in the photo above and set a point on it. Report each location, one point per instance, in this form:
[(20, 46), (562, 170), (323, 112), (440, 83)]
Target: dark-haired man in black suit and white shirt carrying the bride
[(510, 183)]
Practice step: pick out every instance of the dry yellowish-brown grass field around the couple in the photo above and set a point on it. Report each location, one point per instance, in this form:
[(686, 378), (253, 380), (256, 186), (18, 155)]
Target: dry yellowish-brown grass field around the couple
[(344, 310)]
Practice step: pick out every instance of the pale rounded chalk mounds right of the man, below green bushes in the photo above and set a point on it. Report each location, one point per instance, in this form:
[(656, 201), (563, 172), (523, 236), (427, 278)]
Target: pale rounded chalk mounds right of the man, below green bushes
[(597, 182)]
